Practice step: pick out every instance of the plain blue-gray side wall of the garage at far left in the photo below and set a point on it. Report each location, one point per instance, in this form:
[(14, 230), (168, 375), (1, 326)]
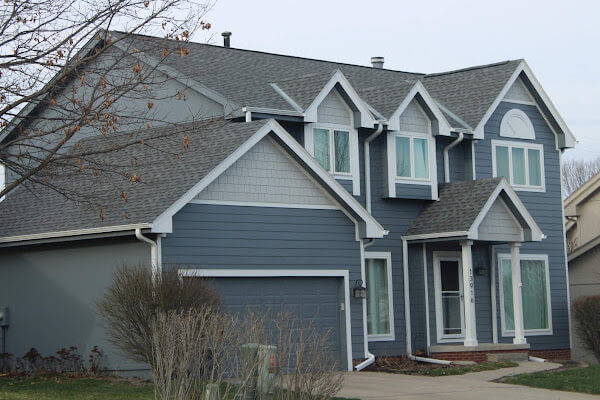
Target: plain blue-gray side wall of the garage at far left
[(51, 292)]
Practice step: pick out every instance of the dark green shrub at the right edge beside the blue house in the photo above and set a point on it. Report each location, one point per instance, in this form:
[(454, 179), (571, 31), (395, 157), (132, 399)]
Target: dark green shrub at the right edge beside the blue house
[(587, 323)]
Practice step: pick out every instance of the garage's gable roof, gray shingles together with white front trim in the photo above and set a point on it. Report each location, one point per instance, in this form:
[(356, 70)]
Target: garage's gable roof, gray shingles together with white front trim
[(33, 212)]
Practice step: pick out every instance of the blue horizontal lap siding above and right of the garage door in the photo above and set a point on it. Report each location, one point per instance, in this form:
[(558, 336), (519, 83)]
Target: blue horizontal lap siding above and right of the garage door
[(217, 236)]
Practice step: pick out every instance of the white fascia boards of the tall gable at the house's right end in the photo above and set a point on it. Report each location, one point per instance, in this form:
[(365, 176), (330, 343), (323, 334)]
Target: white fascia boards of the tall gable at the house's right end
[(569, 140)]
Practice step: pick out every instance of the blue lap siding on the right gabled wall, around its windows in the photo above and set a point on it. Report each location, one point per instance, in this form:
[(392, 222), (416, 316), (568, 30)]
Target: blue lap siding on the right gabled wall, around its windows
[(546, 210)]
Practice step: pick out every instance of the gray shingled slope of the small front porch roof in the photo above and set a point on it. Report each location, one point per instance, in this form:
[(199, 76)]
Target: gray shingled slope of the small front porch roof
[(458, 206)]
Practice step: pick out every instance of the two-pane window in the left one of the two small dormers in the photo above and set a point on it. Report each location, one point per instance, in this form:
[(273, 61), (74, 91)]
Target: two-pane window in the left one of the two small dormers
[(331, 148)]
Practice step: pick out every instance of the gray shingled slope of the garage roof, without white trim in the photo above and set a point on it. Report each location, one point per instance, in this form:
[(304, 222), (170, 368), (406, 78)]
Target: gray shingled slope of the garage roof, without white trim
[(164, 179)]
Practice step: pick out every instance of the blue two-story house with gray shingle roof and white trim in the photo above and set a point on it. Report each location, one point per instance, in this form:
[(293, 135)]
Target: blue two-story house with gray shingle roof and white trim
[(441, 193)]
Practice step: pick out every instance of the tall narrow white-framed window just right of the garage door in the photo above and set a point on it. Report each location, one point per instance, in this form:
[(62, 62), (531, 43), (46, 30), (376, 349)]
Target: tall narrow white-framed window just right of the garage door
[(380, 325)]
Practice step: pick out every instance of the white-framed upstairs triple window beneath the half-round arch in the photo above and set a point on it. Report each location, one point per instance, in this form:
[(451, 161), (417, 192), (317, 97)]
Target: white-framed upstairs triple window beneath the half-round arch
[(521, 164)]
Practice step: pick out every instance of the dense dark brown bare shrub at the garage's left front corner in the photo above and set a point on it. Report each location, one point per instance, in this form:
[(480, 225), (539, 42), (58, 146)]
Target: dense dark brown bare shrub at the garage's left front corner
[(134, 299)]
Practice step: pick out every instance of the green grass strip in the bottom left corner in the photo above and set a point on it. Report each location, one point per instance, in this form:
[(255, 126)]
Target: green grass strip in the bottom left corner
[(62, 388)]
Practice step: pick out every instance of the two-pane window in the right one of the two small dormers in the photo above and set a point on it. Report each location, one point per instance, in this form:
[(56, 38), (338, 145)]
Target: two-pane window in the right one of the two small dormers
[(412, 157)]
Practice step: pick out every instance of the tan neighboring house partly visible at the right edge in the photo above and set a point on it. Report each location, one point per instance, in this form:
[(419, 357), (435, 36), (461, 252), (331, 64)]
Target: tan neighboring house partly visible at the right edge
[(582, 222)]
